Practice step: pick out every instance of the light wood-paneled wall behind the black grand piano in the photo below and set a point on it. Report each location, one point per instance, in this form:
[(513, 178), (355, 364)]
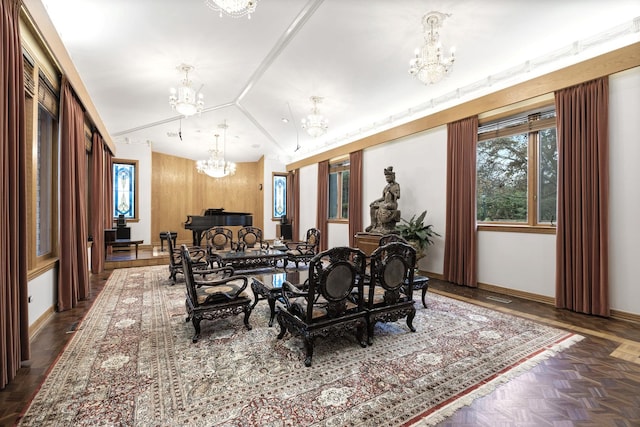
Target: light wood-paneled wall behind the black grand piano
[(178, 190)]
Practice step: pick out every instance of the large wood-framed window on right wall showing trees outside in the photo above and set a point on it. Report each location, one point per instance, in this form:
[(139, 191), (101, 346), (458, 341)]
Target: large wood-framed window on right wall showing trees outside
[(517, 167)]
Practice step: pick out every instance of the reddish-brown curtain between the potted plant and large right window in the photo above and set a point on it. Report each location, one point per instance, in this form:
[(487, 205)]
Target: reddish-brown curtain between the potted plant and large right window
[(460, 239)]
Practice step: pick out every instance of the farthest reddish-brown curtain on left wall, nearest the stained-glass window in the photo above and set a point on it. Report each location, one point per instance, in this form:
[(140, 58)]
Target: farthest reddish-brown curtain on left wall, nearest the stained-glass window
[(101, 196)]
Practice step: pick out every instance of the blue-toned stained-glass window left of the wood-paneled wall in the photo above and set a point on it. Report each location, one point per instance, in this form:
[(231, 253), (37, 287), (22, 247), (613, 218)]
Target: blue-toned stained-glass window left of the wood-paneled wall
[(125, 189)]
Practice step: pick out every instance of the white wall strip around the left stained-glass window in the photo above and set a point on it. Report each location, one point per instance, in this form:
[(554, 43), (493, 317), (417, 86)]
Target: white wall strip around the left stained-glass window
[(140, 230)]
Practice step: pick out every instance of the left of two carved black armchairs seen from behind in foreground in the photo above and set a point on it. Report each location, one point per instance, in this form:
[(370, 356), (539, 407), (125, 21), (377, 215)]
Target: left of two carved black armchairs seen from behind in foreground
[(332, 302)]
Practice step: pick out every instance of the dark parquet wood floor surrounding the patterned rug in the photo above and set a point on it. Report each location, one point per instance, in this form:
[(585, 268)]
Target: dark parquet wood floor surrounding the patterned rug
[(596, 382)]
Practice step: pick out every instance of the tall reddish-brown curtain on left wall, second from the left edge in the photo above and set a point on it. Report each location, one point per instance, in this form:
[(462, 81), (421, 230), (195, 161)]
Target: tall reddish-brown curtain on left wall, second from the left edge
[(73, 278)]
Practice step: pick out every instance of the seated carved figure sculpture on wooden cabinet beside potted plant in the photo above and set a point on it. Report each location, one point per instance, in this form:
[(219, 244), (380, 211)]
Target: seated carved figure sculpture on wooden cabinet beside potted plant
[(384, 211)]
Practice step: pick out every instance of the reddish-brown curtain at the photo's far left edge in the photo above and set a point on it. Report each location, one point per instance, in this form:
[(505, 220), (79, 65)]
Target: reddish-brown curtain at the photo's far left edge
[(14, 311)]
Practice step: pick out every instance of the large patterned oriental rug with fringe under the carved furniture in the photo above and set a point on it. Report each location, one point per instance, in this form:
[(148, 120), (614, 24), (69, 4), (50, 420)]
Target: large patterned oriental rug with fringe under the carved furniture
[(131, 362)]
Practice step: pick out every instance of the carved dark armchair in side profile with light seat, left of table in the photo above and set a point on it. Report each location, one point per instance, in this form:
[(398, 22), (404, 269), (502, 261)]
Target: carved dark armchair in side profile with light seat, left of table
[(223, 294)]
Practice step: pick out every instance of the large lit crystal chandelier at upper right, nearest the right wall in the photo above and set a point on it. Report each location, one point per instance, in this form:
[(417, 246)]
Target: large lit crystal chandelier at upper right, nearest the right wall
[(429, 65)]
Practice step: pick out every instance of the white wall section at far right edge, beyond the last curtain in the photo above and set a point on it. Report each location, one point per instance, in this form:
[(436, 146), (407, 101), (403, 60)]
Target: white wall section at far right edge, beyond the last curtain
[(624, 202)]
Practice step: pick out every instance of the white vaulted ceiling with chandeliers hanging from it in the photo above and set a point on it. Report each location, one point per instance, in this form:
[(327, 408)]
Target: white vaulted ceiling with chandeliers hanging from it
[(353, 53)]
